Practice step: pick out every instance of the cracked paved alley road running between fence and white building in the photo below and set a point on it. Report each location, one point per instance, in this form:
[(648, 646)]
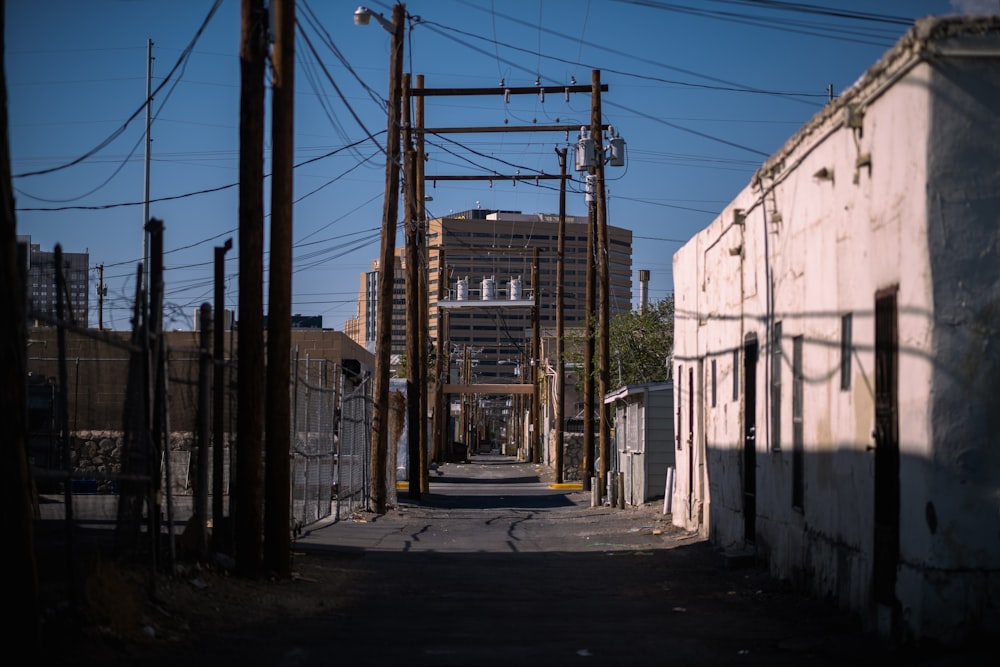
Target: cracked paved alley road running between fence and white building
[(495, 566)]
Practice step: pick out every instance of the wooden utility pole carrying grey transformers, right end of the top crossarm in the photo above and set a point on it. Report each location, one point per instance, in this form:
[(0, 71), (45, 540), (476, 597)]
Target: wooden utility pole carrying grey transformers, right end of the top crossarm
[(604, 295)]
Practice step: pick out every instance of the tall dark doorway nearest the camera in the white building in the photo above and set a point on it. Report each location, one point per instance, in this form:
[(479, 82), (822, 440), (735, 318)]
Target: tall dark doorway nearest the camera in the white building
[(887, 485)]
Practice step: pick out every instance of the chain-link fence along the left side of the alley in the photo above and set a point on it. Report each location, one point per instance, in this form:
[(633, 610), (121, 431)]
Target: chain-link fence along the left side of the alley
[(82, 456)]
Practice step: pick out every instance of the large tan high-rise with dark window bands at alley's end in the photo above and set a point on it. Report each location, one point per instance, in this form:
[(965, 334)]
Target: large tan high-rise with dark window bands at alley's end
[(489, 255)]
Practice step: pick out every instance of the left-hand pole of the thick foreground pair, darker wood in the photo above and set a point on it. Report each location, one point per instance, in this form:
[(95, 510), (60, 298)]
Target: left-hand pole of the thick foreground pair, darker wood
[(247, 494)]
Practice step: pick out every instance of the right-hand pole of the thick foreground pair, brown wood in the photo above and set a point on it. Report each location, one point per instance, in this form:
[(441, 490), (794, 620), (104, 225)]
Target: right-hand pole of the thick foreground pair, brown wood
[(277, 480)]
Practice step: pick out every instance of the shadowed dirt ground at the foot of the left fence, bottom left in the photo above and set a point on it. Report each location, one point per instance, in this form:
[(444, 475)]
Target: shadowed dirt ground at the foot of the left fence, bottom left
[(124, 614)]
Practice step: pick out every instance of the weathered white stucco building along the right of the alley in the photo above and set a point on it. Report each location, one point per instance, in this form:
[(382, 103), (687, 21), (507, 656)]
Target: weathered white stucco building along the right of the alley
[(837, 347)]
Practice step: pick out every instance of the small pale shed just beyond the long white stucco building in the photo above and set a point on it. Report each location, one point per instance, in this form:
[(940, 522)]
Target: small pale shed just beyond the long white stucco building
[(644, 438)]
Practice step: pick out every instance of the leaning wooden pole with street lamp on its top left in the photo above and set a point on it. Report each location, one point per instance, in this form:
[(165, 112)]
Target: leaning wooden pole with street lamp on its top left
[(383, 324)]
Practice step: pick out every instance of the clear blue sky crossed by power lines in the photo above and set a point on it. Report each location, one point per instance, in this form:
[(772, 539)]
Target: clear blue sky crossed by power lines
[(702, 91)]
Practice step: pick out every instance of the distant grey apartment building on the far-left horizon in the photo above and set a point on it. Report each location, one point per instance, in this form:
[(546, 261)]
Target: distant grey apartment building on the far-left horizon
[(41, 284)]
